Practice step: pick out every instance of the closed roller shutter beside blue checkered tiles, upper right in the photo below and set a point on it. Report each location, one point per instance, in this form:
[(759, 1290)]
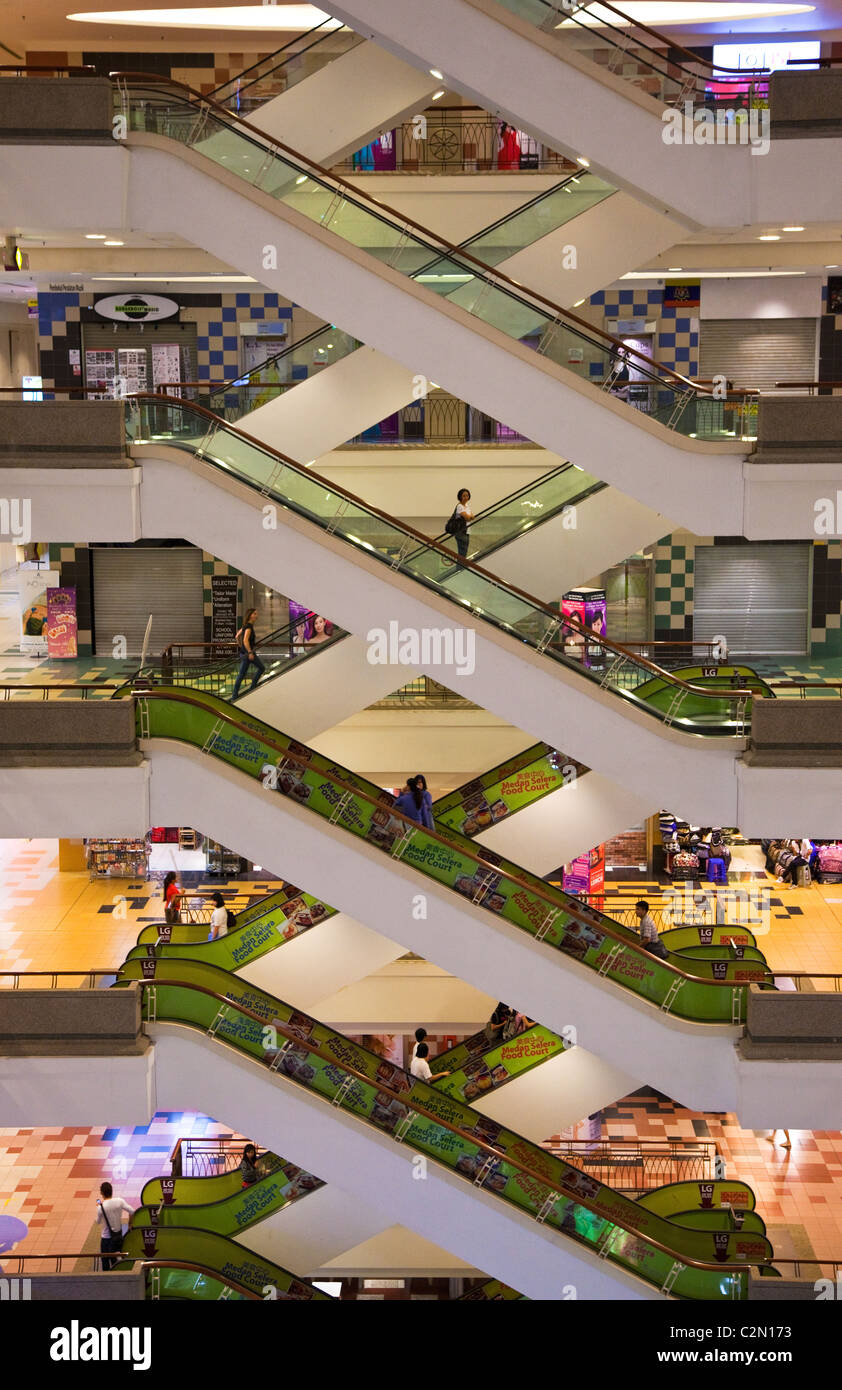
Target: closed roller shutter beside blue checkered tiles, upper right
[(758, 352)]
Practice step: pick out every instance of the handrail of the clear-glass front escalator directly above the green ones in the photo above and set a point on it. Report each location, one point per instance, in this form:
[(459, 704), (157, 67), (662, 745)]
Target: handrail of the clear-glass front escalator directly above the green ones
[(427, 543)]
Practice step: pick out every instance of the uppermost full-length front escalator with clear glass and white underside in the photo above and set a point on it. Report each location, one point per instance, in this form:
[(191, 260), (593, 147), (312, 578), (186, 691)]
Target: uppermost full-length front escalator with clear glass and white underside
[(431, 306)]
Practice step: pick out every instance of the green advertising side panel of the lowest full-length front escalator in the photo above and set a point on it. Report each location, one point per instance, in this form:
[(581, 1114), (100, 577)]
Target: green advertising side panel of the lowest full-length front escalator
[(616, 1218)]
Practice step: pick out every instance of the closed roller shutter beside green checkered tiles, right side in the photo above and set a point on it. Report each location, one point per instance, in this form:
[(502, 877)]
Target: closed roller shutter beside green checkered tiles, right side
[(757, 596)]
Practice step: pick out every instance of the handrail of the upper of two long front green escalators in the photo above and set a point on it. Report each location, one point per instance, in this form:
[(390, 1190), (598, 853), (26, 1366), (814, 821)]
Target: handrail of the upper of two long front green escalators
[(345, 787)]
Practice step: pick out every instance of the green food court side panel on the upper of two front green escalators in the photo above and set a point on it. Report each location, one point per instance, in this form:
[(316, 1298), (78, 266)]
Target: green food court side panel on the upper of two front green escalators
[(202, 723)]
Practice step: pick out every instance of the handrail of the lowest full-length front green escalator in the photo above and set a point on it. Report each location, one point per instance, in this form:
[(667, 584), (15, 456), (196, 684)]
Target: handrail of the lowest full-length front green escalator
[(565, 1191)]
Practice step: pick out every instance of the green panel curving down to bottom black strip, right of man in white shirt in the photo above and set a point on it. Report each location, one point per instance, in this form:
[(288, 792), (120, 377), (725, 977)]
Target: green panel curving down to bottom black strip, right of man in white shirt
[(219, 1256)]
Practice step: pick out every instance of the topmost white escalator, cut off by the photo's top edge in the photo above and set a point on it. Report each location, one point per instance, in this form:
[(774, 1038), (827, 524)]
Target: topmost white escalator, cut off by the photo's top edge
[(561, 73)]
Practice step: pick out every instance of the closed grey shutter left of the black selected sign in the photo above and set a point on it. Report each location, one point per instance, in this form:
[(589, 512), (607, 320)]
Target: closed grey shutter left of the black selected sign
[(130, 583)]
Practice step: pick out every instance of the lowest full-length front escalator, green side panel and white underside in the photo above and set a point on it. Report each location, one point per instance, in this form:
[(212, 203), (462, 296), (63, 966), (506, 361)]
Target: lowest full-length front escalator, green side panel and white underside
[(299, 1067)]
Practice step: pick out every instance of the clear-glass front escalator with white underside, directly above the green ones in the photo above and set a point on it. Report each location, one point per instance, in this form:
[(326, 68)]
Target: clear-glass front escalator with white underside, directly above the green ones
[(487, 640)]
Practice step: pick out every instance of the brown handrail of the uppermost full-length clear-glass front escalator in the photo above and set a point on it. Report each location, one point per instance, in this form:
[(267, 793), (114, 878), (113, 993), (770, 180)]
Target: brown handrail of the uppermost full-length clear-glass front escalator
[(388, 213)]
